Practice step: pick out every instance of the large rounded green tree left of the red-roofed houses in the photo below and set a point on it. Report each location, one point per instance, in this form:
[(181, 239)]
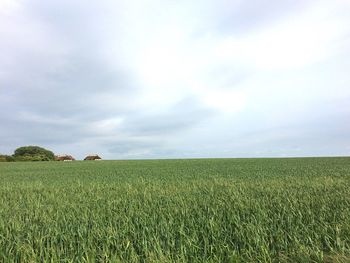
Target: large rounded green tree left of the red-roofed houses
[(33, 153)]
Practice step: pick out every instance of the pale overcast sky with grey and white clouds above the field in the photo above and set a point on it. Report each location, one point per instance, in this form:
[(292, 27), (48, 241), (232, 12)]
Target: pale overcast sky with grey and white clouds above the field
[(176, 79)]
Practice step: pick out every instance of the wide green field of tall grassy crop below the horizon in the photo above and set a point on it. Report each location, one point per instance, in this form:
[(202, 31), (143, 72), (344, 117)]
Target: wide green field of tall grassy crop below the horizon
[(206, 210)]
